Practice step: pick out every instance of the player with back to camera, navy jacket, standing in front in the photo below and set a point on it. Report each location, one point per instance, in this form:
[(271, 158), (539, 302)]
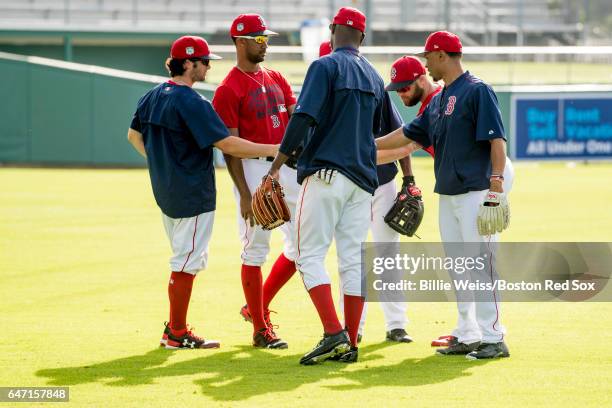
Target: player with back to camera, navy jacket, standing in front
[(337, 114)]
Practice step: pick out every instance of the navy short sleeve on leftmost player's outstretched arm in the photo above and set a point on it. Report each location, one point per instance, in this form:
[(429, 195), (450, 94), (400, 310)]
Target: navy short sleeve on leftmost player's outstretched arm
[(202, 121)]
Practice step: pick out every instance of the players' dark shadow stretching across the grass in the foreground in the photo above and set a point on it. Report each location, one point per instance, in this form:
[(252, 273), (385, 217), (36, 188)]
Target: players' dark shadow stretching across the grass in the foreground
[(244, 372)]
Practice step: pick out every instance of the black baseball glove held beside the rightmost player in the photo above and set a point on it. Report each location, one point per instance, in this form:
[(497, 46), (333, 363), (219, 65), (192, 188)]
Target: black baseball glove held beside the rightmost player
[(407, 212)]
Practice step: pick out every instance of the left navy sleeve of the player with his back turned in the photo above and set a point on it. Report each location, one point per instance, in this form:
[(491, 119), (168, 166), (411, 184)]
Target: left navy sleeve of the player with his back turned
[(315, 91)]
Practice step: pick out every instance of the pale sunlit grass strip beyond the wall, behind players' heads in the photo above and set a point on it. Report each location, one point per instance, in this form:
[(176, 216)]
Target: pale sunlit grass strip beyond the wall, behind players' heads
[(493, 72)]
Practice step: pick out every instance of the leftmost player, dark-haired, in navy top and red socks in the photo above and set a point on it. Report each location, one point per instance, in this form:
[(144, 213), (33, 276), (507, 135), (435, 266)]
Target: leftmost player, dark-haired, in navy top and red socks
[(175, 128)]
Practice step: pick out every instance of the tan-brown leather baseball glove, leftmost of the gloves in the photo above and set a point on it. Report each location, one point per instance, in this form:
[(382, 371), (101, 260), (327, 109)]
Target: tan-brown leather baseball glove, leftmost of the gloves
[(269, 205)]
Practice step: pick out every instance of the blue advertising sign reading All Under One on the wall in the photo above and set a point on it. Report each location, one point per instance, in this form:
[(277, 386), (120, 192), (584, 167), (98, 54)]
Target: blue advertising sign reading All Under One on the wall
[(562, 126)]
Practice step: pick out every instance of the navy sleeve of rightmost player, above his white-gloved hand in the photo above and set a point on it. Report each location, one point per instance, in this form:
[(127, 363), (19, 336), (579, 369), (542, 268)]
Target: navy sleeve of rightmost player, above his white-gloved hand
[(488, 116)]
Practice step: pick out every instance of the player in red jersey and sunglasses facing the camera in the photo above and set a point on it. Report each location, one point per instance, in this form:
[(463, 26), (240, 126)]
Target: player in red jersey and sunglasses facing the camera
[(255, 104)]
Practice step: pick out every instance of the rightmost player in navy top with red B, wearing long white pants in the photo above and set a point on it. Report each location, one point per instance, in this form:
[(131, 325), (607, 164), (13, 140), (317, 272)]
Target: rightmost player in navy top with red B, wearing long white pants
[(463, 124)]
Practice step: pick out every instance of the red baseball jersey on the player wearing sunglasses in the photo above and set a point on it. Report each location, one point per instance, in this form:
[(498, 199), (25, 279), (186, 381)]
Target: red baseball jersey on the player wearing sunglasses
[(255, 103)]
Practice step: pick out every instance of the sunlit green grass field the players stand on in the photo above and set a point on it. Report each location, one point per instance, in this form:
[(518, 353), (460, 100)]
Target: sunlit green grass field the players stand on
[(83, 261)]
